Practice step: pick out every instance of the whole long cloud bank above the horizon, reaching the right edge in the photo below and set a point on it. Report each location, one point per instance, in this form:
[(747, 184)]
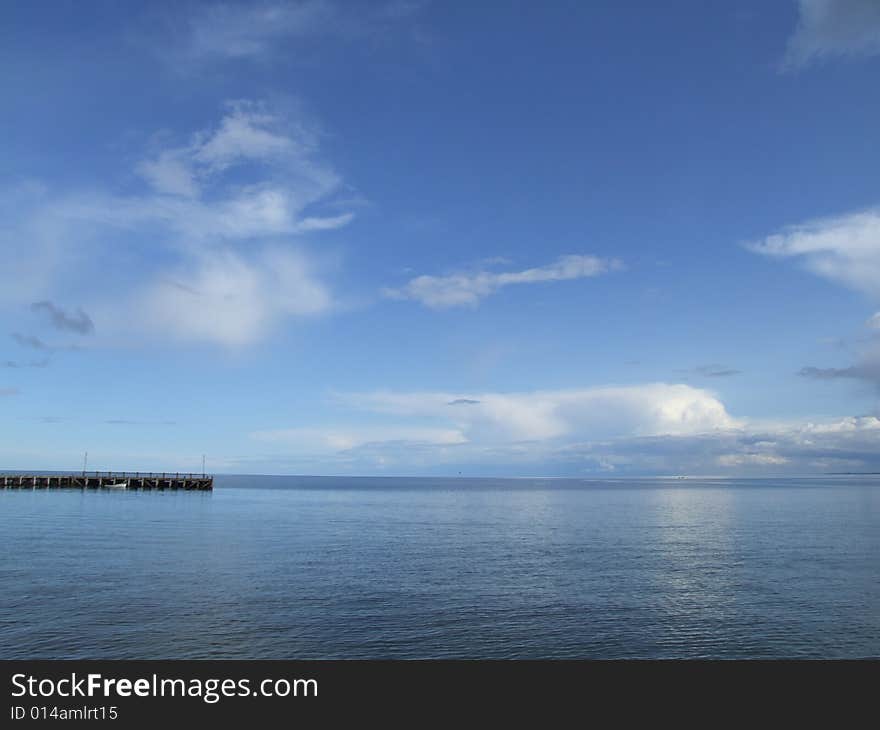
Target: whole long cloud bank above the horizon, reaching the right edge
[(647, 429)]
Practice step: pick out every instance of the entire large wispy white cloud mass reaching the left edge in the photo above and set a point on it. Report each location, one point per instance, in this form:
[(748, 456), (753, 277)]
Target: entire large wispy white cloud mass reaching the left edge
[(211, 250)]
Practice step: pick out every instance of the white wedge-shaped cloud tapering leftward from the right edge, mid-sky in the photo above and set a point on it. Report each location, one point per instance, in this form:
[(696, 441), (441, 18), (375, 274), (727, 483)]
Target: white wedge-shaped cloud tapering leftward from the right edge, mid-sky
[(844, 249)]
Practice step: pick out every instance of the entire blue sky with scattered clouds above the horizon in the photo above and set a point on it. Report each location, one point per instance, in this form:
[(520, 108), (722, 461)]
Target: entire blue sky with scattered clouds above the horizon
[(440, 238)]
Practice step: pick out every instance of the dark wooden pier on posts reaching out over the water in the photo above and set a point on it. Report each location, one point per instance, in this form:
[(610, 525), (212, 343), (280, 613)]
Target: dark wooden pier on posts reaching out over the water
[(109, 480)]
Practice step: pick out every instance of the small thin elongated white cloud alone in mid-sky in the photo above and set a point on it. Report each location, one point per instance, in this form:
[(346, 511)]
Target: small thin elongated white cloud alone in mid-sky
[(468, 289)]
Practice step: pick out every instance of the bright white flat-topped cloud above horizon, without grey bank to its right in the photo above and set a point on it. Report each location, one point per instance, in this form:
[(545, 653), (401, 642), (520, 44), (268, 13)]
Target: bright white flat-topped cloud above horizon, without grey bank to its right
[(425, 429)]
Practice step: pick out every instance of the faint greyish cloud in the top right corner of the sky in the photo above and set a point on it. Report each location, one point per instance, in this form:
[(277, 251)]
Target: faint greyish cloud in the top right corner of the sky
[(828, 28)]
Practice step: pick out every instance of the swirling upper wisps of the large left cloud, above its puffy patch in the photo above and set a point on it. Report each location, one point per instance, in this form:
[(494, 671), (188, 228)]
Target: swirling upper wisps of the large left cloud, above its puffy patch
[(195, 195)]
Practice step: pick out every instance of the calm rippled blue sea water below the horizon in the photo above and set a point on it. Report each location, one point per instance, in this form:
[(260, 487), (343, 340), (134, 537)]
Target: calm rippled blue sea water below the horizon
[(281, 567)]
